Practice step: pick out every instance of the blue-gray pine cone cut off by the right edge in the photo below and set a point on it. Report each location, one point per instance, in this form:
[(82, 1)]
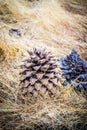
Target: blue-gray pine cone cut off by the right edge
[(74, 67)]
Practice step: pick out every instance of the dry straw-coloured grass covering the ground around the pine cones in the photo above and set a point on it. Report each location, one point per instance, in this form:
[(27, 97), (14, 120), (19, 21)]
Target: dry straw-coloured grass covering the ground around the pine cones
[(58, 26)]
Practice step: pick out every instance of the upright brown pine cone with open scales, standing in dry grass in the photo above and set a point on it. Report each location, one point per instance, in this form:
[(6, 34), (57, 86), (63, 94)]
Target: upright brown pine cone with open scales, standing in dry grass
[(39, 75)]
